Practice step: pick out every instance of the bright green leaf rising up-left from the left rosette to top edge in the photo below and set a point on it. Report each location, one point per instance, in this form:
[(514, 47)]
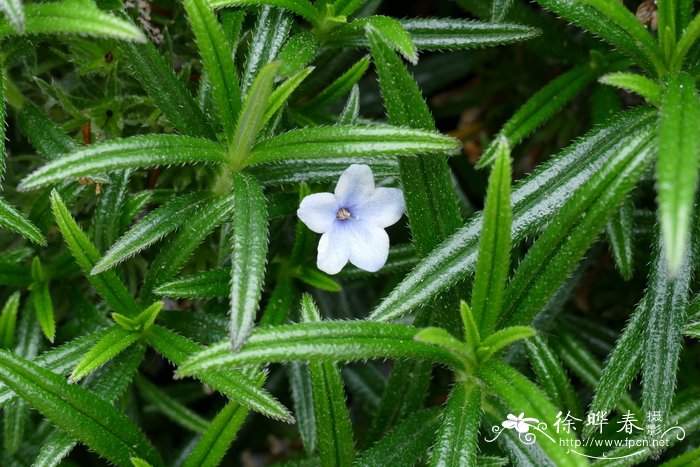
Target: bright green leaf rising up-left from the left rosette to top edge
[(218, 62)]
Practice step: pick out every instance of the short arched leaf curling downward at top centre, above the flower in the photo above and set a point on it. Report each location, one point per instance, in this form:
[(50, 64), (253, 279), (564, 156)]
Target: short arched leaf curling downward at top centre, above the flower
[(391, 30)]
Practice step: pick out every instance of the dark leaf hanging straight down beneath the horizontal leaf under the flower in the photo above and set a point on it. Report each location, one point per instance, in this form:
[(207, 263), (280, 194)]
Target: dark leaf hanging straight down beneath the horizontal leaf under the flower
[(300, 385)]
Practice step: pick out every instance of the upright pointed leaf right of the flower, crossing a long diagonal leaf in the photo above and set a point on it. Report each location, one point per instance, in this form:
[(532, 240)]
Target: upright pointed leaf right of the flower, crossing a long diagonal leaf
[(494, 247)]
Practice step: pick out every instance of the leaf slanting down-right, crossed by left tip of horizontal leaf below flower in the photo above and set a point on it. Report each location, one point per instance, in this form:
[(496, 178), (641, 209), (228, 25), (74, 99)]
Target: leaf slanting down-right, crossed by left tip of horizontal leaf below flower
[(231, 383)]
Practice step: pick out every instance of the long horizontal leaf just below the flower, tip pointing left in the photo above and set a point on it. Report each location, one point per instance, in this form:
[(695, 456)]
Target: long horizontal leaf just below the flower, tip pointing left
[(339, 341)]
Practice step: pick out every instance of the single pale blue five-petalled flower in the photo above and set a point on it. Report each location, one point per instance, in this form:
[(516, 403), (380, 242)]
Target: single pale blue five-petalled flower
[(352, 221)]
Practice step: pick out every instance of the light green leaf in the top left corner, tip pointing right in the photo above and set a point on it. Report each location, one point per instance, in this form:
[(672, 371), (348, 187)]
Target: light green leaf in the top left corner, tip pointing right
[(69, 17)]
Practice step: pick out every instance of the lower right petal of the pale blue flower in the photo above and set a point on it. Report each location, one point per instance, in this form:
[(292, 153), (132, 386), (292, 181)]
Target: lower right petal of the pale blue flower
[(369, 246)]
